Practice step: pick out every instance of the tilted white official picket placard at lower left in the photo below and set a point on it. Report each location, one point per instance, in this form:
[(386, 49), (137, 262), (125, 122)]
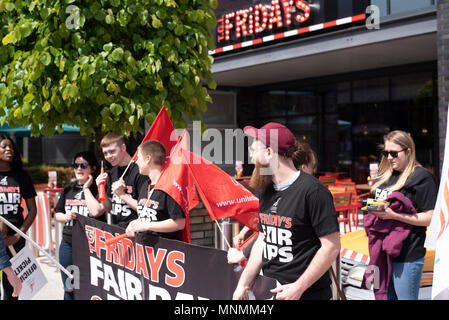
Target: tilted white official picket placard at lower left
[(27, 269)]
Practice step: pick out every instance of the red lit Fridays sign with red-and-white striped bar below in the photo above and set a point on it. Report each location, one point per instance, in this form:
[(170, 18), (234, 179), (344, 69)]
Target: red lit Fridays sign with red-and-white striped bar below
[(271, 20)]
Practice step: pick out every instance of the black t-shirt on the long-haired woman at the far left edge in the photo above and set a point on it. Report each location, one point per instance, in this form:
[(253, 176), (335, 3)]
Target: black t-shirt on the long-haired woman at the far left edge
[(14, 186)]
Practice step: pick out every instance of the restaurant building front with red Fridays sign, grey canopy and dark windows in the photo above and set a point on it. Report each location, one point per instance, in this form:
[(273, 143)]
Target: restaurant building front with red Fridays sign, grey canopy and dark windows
[(339, 74)]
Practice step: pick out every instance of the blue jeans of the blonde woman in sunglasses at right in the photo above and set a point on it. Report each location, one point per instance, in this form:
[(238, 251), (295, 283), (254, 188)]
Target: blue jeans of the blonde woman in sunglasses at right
[(405, 280)]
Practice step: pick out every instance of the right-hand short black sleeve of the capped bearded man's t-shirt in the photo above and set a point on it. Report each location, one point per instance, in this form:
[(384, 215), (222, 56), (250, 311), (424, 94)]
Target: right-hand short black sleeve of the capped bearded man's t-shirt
[(322, 213)]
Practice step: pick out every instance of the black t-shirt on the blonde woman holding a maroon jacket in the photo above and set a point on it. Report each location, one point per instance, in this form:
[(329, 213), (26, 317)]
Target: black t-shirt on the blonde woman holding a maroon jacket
[(421, 189)]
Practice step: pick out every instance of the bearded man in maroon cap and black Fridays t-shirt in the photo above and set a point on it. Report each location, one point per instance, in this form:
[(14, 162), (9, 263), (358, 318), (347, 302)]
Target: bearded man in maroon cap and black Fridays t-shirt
[(299, 234)]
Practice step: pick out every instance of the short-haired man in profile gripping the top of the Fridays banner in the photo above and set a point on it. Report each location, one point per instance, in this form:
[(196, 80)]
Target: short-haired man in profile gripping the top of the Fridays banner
[(158, 211)]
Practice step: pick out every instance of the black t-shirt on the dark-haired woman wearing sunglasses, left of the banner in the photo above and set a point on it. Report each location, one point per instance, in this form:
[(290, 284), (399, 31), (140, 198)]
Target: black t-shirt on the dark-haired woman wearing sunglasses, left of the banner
[(72, 199)]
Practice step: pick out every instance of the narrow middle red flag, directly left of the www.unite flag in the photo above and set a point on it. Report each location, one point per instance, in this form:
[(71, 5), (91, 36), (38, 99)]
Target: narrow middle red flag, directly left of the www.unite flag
[(176, 181)]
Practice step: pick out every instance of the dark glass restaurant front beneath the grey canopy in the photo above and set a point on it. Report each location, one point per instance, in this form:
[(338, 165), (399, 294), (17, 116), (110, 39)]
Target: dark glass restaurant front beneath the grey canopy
[(345, 119)]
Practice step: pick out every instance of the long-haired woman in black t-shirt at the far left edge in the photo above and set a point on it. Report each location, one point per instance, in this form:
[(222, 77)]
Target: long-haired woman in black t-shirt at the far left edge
[(16, 185)]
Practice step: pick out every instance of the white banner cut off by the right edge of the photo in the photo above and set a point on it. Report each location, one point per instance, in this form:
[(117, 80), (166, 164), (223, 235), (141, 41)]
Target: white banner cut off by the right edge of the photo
[(438, 234)]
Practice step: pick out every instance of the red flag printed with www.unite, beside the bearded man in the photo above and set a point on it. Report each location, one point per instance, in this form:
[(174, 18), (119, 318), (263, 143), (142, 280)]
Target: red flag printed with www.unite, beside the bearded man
[(222, 195)]
